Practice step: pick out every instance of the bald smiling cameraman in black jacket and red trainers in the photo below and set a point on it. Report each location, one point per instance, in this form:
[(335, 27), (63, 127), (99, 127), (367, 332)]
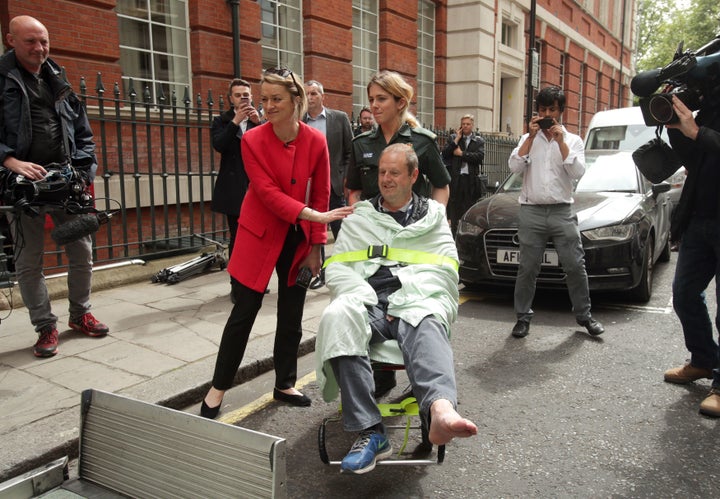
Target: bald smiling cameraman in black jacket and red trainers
[(41, 122)]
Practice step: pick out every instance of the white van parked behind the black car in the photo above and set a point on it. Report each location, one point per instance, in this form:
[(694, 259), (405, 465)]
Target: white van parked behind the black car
[(625, 130)]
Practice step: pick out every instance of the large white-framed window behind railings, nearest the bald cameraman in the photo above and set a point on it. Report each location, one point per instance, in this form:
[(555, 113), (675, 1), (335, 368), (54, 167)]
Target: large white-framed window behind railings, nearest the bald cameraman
[(154, 47)]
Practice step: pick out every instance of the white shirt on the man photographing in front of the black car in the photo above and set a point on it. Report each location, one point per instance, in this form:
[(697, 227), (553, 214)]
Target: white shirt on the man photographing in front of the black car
[(547, 178)]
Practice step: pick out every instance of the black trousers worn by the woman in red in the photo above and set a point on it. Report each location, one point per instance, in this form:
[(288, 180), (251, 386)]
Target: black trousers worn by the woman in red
[(288, 329)]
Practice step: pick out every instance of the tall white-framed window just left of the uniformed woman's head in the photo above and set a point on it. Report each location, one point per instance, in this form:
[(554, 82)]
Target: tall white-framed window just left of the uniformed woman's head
[(365, 50)]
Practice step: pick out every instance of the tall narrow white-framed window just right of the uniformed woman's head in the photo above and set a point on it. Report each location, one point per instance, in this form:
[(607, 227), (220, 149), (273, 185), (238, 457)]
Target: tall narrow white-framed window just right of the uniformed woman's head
[(425, 99)]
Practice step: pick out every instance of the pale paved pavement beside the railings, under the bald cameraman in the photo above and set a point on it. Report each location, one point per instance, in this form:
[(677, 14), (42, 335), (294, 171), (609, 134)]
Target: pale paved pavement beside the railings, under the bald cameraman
[(161, 349)]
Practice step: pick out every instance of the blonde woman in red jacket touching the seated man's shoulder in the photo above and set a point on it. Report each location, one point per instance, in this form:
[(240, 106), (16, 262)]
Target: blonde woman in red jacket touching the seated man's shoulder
[(282, 225)]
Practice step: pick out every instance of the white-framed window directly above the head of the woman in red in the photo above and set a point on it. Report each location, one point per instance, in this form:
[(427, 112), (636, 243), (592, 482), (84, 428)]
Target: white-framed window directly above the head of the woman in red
[(281, 31)]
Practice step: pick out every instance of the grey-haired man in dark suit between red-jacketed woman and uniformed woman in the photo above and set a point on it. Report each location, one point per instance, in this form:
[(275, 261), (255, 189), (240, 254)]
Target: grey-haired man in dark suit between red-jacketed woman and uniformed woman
[(338, 132)]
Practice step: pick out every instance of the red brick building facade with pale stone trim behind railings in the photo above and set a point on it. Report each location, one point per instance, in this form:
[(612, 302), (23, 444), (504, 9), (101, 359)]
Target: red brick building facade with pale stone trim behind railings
[(461, 56)]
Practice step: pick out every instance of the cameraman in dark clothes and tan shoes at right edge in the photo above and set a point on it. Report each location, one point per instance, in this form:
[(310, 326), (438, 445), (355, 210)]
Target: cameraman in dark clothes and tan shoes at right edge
[(696, 225)]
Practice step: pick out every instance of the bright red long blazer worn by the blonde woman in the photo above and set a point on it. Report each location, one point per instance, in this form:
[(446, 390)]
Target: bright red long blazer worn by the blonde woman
[(284, 178)]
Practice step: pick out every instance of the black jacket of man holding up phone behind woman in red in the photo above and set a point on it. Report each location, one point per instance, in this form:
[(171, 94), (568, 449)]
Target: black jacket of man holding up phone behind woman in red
[(231, 183)]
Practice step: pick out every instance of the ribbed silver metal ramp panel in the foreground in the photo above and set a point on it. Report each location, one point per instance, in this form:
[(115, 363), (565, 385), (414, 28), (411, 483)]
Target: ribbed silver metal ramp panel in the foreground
[(144, 450)]
